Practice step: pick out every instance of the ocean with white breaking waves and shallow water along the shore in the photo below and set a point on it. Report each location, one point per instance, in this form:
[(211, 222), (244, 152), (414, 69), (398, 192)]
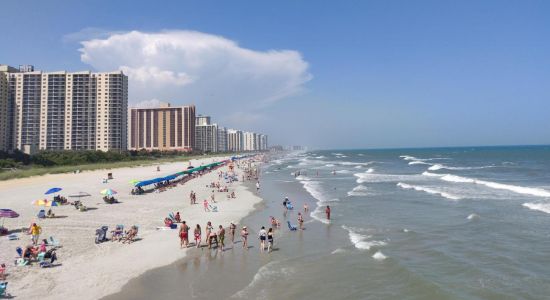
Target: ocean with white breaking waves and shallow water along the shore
[(441, 223)]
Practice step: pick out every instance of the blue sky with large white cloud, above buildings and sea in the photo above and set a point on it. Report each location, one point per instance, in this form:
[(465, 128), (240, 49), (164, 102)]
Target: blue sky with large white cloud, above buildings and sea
[(326, 74)]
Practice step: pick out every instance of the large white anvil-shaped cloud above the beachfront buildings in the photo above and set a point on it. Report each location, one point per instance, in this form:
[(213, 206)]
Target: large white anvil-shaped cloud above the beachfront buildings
[(213, 72)]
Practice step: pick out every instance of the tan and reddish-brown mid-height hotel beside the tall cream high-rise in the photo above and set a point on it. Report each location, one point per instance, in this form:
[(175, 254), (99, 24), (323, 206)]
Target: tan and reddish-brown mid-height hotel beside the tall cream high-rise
[(163, 128)]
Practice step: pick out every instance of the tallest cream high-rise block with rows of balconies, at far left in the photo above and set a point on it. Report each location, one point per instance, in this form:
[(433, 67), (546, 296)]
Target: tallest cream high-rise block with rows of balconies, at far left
[(67, 111)]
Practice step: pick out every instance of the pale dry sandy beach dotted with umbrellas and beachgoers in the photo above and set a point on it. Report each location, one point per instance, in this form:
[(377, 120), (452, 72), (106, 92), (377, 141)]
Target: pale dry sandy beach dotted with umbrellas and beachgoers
[(90, 271)]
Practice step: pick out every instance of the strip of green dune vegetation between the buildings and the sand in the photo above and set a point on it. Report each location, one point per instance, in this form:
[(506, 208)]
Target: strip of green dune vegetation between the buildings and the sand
[(19, 164)]
